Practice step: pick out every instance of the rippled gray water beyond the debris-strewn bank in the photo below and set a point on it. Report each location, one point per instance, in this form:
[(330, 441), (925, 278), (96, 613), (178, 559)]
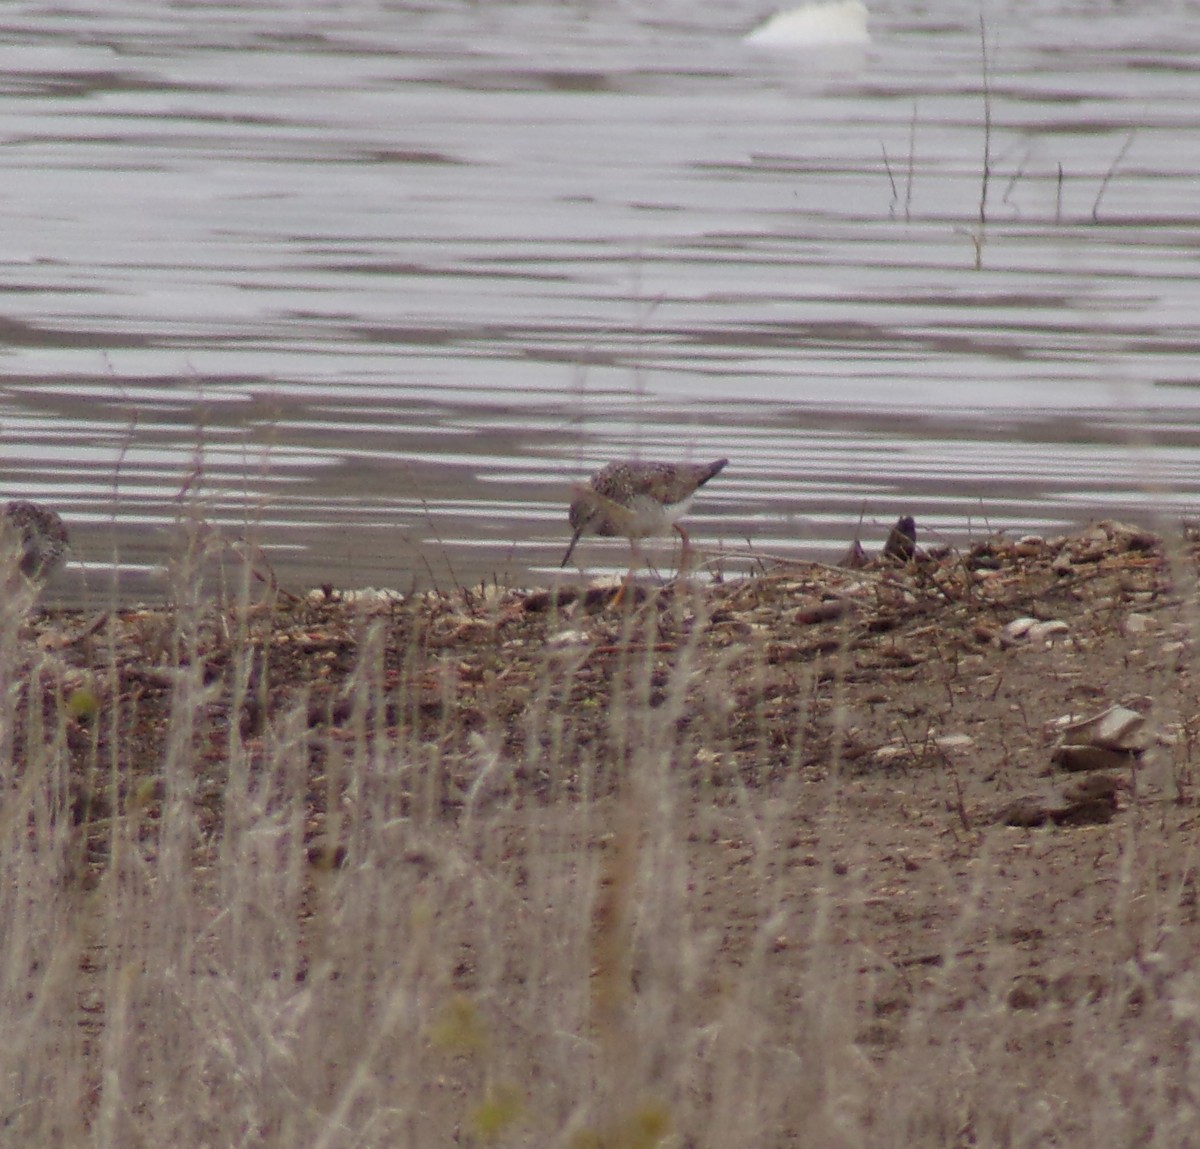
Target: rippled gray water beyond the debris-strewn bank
[(371, 284)]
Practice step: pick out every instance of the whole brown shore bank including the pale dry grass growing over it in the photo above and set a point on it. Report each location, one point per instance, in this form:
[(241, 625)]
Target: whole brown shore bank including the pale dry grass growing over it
[(599, 834)]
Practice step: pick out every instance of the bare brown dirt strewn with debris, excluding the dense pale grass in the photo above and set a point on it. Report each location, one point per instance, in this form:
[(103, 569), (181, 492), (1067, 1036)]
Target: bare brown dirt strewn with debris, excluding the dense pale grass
[(877, 725)]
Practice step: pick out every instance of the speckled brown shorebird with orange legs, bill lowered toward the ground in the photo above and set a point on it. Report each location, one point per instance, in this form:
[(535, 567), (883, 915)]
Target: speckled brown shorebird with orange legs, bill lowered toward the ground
[(637, 501)]
